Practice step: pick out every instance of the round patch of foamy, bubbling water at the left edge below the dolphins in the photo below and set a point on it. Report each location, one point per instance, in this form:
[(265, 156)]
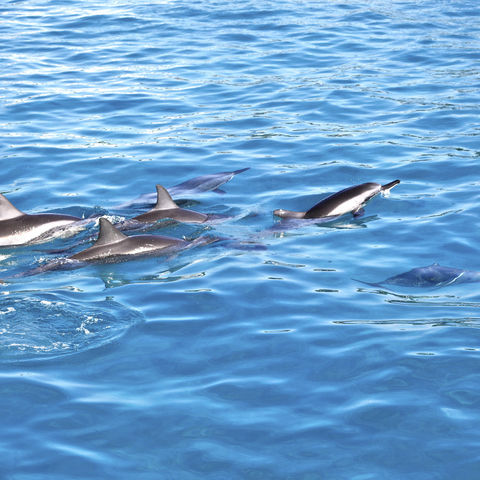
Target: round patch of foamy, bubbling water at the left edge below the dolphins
[(49, 325)]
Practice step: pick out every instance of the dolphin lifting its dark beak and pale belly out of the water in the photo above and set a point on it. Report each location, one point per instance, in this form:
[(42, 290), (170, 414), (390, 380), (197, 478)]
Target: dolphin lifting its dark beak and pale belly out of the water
[(351, 199)]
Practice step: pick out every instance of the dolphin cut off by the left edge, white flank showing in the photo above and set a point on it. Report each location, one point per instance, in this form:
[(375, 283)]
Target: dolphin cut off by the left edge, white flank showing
[(19, 228)]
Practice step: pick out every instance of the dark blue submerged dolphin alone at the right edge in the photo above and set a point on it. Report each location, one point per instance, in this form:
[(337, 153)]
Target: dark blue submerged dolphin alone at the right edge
[(434, 275)]
